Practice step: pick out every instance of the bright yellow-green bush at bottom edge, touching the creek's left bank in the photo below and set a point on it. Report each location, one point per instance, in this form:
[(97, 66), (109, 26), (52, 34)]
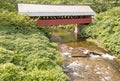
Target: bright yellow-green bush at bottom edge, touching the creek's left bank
[(49, 75)]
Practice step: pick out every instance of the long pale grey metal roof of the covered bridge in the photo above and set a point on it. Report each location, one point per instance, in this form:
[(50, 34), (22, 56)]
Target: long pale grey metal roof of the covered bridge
[(54, 10)]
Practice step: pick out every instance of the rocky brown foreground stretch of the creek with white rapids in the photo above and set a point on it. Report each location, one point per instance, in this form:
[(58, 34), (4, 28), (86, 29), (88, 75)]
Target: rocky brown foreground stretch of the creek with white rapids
[(87, 65)]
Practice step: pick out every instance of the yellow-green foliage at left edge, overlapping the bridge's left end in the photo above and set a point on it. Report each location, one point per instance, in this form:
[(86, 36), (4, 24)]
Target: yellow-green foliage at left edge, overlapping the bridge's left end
[(13, 19)]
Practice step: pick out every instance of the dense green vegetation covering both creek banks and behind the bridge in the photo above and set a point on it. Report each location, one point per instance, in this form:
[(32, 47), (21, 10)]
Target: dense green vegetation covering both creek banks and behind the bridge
[(25, 51)]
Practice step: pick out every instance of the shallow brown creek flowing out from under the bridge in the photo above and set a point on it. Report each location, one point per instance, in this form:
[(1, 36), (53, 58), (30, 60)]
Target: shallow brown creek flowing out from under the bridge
[(85, 61)]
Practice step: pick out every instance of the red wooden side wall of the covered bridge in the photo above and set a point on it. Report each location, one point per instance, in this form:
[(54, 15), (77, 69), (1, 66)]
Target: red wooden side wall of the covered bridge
[(49, 22)]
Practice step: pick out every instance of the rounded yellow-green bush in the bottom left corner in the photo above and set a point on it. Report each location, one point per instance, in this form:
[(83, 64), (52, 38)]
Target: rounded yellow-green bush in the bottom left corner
[(10, 72)]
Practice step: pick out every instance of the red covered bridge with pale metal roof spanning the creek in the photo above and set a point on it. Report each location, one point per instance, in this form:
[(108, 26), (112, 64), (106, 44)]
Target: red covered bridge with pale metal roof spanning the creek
[(57, 14)]
